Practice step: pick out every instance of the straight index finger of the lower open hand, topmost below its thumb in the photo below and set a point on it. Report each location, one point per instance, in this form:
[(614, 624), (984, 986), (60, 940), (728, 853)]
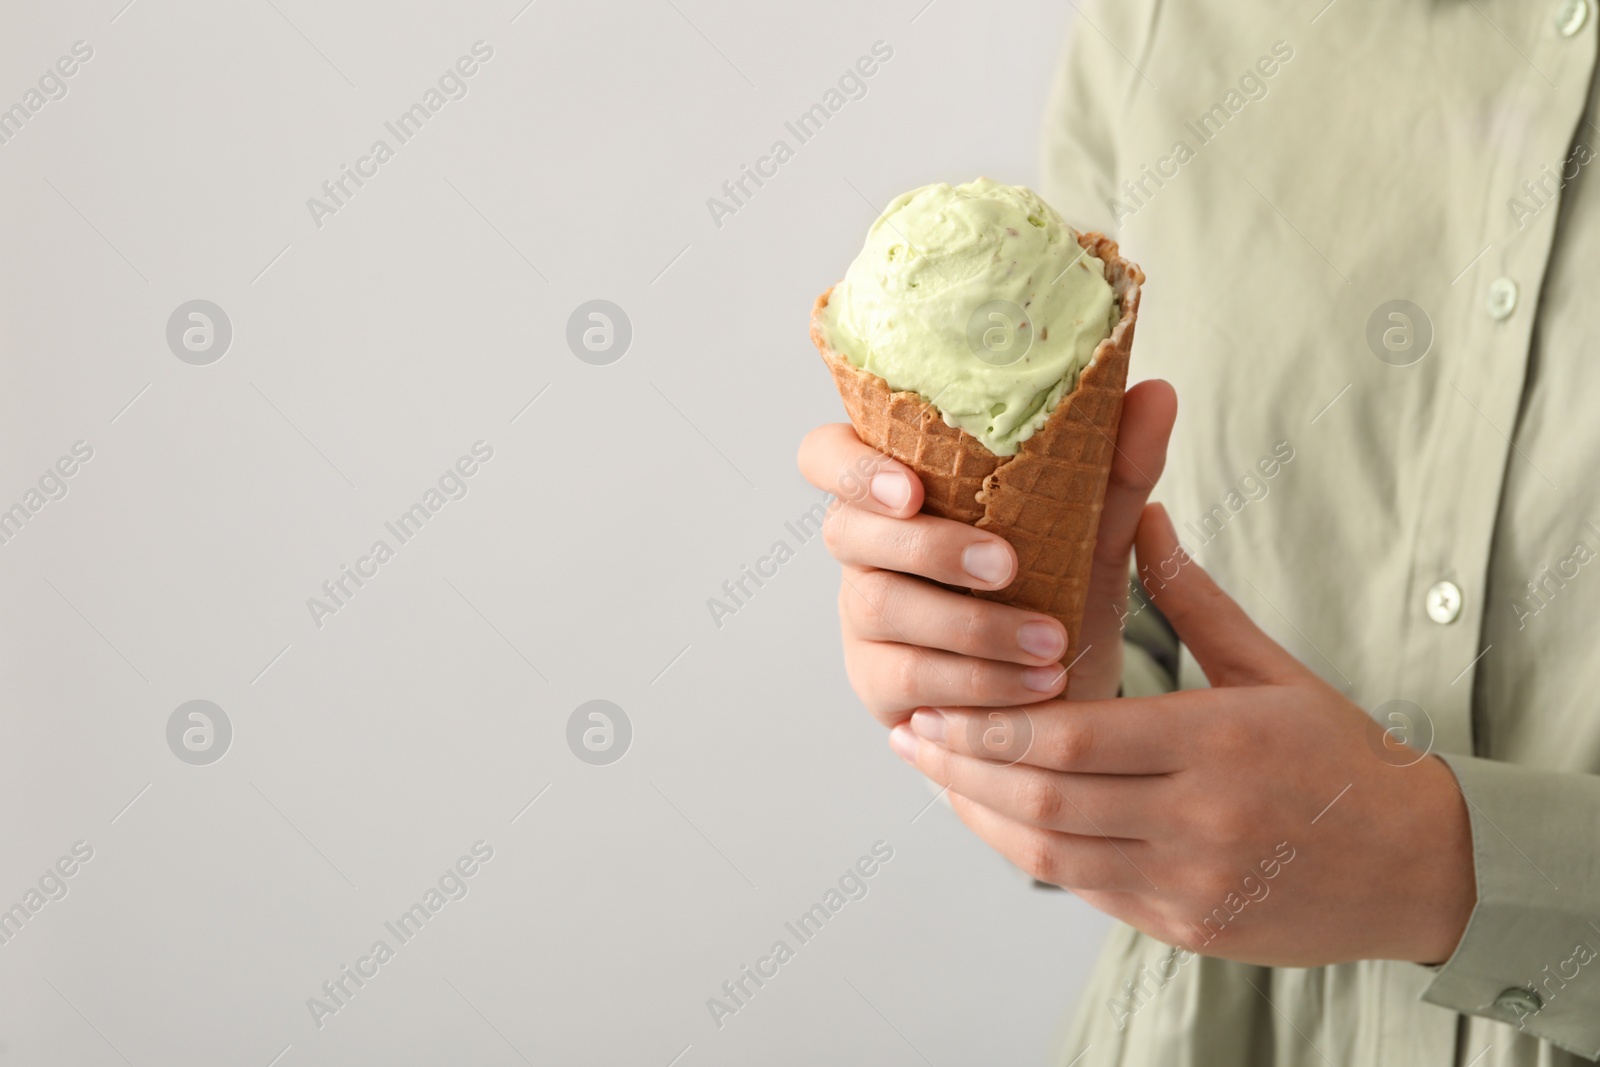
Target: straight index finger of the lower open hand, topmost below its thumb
[(1129, 738)]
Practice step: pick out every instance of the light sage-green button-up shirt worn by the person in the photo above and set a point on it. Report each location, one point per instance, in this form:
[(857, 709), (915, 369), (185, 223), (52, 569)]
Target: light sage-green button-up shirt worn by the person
[(1436, 535)]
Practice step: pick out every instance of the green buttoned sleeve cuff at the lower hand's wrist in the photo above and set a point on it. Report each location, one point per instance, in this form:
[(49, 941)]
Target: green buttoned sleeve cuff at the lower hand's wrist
[(1532, 949)]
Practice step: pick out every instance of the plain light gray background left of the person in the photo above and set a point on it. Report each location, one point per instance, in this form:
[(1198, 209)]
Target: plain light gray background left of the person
[(367, 358)]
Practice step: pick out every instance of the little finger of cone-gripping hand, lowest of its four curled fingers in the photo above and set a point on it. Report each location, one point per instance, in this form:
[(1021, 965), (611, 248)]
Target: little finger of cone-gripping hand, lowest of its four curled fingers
[(894, 681)]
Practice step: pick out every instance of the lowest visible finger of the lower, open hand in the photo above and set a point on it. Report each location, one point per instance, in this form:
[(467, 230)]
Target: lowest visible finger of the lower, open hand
[(1065, 860)]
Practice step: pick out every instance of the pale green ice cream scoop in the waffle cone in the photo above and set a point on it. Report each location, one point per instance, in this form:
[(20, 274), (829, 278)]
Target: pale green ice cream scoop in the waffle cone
[(980, 300)]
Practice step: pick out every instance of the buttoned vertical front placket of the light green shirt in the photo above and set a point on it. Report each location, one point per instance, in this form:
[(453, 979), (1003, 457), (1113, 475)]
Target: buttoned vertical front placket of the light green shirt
[(1487, 342)]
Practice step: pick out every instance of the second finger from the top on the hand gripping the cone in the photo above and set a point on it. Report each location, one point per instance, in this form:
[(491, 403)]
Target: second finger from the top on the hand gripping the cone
[(942, 549)]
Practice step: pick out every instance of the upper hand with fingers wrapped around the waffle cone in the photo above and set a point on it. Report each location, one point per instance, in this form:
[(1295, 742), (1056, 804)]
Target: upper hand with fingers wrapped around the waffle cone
[(910, 644)]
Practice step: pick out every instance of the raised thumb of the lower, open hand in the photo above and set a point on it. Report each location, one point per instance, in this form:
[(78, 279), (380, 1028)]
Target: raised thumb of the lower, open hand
[(1225, 642)]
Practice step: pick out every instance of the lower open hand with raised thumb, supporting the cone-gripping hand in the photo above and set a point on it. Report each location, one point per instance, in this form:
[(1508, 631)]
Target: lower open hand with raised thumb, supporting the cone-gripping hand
[(1265, 820)]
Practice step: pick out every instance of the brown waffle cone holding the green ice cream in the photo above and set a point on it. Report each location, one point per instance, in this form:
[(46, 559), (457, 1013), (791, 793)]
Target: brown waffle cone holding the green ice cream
[(1047, 498)]
